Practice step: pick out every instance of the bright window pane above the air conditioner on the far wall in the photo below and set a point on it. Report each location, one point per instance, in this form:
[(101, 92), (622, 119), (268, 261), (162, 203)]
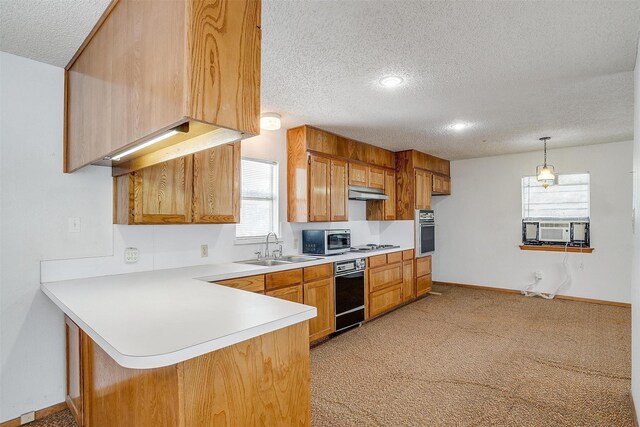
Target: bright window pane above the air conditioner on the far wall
[(568, 199)]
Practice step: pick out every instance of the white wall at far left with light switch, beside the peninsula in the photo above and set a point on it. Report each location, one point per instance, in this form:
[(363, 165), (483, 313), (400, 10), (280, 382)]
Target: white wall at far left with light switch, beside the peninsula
[(36, 201)]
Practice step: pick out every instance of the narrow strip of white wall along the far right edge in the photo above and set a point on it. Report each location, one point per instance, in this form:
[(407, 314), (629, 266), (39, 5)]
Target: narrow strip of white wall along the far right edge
[(635, 285)]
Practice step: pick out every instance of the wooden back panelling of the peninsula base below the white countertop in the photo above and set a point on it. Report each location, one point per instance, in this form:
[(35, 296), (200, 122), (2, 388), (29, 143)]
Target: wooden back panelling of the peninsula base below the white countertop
[(222, 388)]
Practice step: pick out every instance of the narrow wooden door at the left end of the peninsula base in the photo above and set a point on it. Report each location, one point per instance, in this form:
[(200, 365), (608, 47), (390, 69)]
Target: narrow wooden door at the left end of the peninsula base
[(74, 369)]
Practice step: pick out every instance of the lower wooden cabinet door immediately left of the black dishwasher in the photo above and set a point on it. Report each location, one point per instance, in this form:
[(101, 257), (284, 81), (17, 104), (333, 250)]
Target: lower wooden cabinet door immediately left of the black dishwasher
[(320, 295)]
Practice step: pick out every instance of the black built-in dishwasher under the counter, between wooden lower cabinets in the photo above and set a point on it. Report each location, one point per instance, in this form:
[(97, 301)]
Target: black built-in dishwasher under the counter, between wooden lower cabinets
[(349, 293)]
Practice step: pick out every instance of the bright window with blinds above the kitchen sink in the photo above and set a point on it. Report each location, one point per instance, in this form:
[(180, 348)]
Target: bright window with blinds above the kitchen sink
[(258, 199)]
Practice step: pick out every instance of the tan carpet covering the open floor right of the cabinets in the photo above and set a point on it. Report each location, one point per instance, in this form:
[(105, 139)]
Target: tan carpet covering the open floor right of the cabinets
[(478, 358)]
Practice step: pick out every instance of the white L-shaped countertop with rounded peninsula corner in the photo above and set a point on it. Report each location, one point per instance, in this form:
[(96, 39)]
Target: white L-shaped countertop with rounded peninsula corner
[(162, 317)]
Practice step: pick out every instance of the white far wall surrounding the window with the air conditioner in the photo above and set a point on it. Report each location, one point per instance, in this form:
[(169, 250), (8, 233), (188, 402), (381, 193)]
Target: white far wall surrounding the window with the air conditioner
[(479, 225)]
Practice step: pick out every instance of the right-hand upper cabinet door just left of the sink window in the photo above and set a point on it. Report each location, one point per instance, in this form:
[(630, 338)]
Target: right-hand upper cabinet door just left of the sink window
[(216, 185)]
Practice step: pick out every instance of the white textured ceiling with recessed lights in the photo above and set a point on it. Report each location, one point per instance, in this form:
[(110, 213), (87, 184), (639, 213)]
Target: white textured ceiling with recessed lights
[(514, 71)]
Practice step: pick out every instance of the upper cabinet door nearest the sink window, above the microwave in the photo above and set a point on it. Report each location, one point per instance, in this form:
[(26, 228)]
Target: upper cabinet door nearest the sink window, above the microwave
[(319, 189)]
